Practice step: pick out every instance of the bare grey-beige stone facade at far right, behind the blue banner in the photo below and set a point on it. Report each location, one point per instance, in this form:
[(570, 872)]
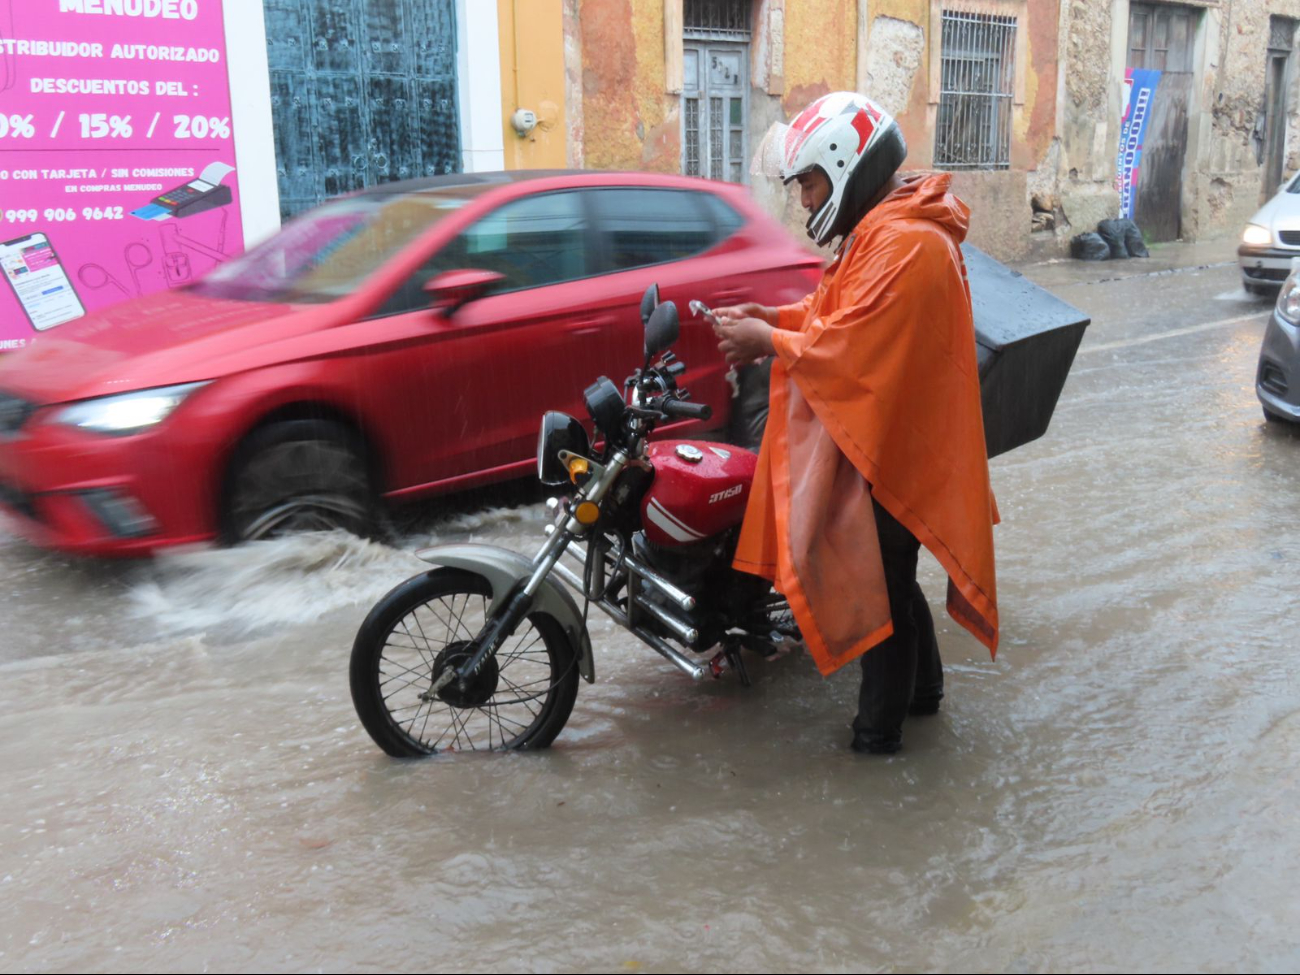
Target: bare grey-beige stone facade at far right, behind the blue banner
[(1225, 115)]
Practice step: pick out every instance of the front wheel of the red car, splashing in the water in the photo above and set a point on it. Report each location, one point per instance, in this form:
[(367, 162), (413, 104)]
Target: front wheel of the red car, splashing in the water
[(298, 476)]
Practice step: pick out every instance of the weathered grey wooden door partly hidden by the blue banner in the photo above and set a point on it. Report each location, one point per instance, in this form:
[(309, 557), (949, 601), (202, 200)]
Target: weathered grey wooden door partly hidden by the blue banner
[(1162, 38)]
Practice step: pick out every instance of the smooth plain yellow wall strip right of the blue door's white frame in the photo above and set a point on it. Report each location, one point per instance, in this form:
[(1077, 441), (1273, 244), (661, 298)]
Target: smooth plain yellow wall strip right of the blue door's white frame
[(532, 76)]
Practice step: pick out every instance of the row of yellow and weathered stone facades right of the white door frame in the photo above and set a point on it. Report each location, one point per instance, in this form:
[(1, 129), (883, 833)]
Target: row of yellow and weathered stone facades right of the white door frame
[(1026, 102)]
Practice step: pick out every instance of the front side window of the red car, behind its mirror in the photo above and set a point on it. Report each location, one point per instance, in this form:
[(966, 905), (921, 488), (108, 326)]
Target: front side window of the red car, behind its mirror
[(531, 242)]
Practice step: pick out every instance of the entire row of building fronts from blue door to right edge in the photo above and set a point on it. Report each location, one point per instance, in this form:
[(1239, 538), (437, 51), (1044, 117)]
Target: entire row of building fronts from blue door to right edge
[(1032, 105)]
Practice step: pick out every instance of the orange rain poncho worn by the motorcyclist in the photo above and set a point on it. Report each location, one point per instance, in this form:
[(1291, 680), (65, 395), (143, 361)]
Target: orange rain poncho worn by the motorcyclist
[(876, 393)]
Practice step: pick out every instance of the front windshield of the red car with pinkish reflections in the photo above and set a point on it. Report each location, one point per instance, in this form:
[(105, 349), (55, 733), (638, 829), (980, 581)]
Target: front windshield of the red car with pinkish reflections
[(327, 253)]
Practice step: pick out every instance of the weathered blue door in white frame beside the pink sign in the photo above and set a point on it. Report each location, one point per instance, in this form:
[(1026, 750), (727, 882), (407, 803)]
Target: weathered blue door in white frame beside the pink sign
[(362, 93)]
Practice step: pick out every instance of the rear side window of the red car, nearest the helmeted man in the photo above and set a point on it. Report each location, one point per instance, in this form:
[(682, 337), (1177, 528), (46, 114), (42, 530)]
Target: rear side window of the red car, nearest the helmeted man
[(652, 227)]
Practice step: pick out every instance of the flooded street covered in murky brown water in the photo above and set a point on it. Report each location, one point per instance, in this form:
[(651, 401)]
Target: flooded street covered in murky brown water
[(188, 786)]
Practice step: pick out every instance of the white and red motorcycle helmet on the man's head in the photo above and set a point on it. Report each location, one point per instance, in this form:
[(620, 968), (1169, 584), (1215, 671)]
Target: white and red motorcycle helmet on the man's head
[(856, 144)]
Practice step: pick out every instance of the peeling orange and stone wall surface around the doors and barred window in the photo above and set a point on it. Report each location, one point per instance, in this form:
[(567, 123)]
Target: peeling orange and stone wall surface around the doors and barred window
[(1067, 124)]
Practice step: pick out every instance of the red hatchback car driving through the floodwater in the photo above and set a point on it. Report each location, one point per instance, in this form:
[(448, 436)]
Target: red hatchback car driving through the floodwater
[(313, 378)]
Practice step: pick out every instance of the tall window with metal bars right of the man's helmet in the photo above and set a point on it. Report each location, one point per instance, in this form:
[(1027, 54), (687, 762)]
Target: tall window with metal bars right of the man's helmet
[(977, 92)]
